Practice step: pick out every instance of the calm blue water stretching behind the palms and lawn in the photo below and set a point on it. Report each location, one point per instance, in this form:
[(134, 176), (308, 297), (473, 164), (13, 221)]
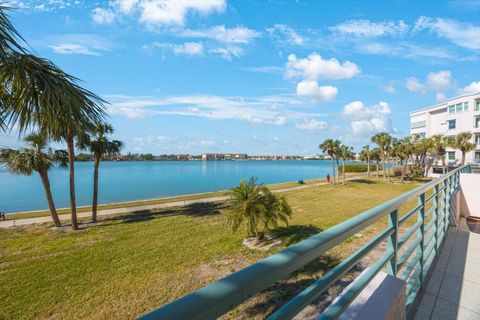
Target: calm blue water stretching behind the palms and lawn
[(127, 181)]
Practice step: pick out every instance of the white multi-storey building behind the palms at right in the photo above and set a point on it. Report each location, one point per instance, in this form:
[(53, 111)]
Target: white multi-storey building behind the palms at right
[(458, 114)]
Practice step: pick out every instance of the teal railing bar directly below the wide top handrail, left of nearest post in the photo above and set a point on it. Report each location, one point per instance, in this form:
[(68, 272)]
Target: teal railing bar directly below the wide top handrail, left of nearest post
[(300, 301)]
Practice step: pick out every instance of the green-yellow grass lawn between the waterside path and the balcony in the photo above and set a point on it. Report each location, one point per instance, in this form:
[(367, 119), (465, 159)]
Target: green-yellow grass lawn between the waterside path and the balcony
[(130, 264)]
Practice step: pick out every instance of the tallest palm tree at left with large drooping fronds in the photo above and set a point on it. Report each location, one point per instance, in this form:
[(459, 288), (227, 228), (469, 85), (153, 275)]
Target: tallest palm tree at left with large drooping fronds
[(37, 94)]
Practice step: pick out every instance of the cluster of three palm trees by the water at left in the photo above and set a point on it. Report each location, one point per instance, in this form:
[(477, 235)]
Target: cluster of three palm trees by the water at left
[(38, 97)]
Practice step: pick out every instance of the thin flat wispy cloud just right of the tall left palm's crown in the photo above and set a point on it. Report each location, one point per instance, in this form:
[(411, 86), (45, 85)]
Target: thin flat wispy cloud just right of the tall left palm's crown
[(77, 44)]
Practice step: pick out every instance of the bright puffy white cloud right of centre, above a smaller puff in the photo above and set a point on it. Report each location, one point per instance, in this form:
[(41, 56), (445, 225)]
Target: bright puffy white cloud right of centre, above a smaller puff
[(314, 67)]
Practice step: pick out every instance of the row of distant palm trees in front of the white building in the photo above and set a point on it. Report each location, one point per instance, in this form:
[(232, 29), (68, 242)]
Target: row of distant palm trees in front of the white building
[(391, 152)]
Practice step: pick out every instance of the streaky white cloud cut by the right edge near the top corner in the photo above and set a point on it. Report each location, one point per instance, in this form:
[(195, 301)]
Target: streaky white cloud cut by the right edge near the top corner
[(462, 34)]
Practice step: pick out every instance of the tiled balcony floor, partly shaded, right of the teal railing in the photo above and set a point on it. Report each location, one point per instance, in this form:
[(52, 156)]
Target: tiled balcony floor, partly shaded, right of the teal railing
[(453, 291)]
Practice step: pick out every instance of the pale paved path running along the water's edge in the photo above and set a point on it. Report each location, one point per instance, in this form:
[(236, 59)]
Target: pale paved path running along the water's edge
[(107, 212)]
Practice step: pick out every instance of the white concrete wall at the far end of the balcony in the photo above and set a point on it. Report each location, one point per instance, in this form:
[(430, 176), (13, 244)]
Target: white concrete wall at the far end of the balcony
[(470, 194)]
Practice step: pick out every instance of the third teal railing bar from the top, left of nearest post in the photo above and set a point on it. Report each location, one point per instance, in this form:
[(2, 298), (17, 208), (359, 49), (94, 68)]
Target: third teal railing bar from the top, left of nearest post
[(334, 310)]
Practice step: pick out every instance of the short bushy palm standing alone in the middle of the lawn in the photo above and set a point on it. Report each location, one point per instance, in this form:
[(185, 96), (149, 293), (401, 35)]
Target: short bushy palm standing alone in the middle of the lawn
[(256, 207)]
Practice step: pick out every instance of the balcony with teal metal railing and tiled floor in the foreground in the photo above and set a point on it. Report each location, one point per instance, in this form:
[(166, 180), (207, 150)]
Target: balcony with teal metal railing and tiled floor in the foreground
[(426, 249)]
